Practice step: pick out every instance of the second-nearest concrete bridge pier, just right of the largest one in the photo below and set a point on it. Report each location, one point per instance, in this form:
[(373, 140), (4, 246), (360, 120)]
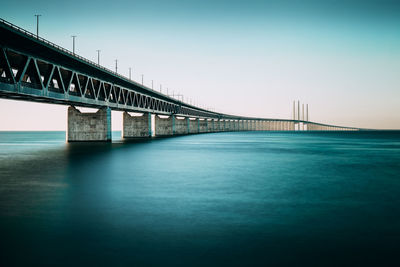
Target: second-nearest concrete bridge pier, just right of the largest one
[(136, 126)]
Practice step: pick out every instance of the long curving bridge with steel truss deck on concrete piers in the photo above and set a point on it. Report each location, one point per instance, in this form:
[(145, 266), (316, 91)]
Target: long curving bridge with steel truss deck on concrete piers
[(34, 69)]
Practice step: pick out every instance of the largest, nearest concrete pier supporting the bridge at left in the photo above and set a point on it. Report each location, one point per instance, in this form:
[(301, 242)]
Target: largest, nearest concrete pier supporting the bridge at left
[(89, 126)]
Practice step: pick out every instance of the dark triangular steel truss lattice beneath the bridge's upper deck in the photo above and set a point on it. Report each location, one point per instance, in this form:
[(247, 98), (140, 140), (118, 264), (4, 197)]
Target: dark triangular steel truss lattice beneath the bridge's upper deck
[(44, 80)]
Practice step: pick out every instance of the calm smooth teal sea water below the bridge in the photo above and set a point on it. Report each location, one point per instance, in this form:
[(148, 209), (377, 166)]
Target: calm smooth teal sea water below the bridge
[(224, 199)]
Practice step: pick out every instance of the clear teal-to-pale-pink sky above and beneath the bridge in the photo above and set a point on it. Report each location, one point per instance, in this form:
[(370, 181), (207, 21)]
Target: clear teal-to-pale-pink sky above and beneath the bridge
[(248, 58)]
